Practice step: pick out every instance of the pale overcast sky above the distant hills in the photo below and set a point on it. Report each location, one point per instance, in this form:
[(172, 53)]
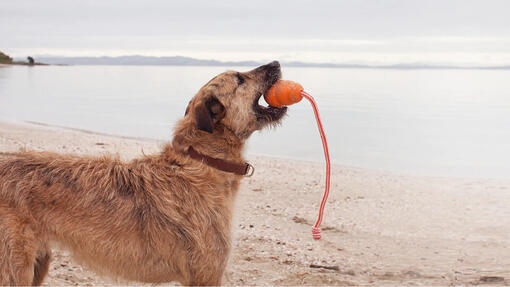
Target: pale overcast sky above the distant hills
[(454, 32)]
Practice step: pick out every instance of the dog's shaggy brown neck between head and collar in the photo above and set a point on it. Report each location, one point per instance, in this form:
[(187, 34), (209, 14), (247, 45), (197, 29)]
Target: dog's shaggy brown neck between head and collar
[(221, 144)]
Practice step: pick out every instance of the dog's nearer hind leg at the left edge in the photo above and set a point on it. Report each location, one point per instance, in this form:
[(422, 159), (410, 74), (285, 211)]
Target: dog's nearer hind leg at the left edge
[(17, 249)]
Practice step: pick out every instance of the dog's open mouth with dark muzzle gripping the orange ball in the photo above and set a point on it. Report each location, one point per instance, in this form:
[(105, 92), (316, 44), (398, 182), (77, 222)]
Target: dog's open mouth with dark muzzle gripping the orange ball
[(268, 113)]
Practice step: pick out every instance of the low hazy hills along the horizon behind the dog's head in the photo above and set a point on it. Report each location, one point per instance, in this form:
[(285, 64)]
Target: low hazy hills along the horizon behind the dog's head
[(188, 61)]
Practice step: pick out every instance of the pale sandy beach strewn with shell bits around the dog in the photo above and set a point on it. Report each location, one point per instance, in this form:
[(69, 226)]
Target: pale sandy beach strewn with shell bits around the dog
[(379, 228)]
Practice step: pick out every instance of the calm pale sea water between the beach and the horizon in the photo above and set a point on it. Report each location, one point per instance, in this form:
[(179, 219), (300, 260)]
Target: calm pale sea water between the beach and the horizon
[(425, 122)]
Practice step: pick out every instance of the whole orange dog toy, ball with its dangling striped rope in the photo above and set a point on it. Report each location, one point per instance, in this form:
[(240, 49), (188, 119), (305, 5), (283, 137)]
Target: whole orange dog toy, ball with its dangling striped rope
[(284, 93)]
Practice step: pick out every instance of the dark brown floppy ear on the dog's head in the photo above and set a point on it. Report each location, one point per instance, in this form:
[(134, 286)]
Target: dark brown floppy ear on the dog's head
[(207, 113)]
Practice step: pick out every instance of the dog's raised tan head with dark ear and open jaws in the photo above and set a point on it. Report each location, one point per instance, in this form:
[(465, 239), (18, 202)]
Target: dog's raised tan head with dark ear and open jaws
[(231, 99)]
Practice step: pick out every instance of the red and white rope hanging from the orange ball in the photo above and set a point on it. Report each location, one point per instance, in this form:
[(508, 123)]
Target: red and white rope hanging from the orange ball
[(316, 232)]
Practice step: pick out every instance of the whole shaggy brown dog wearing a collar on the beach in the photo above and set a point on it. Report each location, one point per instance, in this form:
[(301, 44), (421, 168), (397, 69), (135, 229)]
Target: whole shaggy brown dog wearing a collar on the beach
[(159, 218)]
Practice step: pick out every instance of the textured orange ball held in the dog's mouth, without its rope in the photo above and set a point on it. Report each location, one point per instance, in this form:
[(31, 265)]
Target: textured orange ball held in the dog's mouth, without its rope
[(283, 93)]
